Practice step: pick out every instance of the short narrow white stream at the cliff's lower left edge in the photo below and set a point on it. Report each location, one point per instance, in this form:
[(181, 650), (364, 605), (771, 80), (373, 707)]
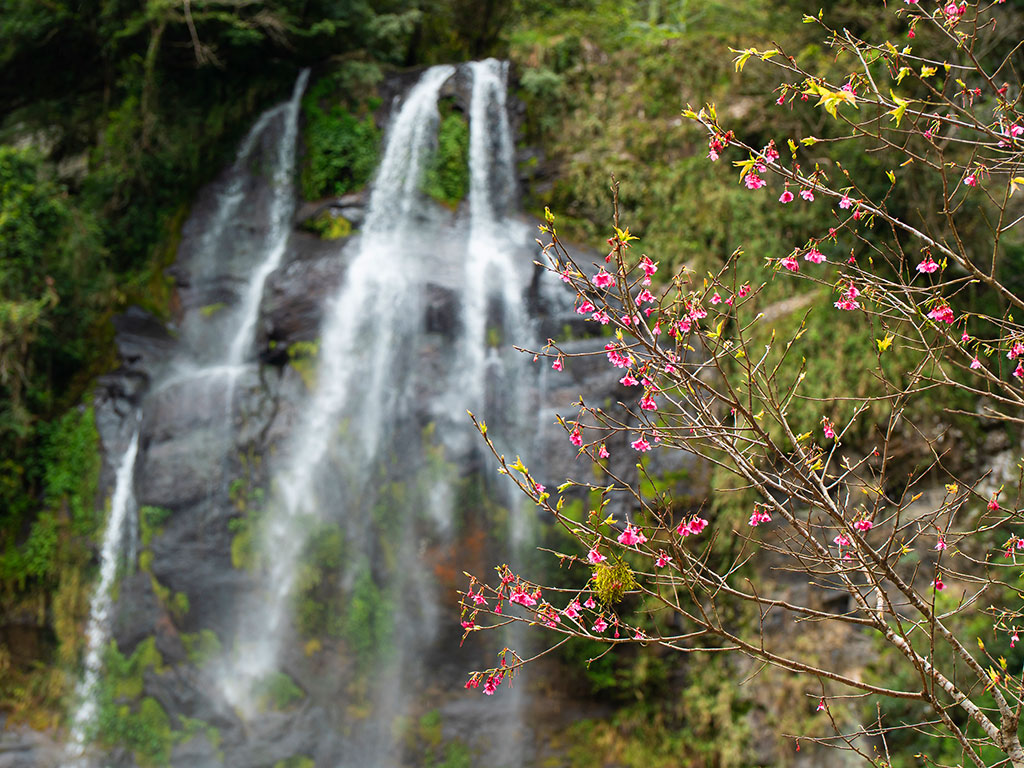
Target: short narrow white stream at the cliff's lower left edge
[(101, 614)]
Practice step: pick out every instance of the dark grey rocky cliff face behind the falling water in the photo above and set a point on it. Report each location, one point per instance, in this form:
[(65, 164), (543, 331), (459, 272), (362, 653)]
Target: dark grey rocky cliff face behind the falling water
[(204, 475)]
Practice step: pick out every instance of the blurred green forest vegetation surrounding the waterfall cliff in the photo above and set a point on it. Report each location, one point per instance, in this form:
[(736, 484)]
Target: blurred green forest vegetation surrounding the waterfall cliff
[(116, 112)]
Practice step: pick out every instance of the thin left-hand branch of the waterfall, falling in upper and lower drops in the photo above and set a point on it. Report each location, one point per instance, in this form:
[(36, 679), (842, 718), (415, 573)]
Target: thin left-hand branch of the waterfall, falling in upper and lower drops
[(206, 365)]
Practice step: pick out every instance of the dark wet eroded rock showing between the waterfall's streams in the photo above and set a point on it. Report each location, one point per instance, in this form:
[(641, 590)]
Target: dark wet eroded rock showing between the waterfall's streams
[(210, 436)]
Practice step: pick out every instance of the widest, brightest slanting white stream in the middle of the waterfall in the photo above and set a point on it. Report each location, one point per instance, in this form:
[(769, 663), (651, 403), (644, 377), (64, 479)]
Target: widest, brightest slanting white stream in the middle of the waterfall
[(363, 333)]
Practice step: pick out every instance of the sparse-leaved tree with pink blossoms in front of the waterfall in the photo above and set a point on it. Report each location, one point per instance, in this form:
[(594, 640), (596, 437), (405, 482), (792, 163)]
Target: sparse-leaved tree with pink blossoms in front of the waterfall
[(852, 491)]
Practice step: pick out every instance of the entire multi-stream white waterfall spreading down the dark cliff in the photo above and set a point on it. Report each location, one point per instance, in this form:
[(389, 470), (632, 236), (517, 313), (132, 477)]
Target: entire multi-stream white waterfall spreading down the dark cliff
[(374, 447)]
